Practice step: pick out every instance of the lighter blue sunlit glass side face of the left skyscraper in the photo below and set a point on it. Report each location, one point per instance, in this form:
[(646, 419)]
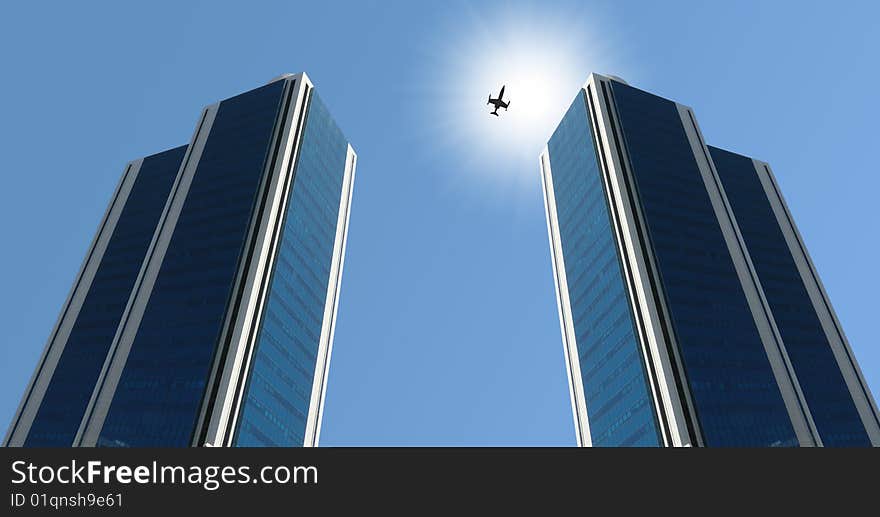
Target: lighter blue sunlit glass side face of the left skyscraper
[(279, 389)]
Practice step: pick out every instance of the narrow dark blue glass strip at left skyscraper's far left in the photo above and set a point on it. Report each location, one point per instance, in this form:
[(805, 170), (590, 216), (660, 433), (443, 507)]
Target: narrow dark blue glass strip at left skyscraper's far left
[(58, 418)]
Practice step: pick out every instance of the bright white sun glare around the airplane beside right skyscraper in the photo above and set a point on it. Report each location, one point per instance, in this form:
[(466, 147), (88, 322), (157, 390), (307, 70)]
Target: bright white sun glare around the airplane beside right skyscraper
[(541, 62)]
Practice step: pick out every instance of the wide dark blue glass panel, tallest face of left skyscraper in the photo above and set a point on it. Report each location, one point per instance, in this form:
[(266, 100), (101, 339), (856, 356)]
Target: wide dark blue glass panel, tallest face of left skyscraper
[(164, 379)]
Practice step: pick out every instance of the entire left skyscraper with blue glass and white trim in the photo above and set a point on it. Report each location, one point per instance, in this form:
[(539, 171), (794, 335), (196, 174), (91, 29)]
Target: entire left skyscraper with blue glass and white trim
[(204, 310)]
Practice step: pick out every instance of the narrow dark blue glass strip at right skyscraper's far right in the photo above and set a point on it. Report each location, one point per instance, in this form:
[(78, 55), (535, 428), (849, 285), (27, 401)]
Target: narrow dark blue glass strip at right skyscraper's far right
[(821, 380)]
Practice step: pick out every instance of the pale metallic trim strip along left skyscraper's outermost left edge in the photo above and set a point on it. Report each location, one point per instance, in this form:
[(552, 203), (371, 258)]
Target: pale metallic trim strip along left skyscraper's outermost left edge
[(39, 382)]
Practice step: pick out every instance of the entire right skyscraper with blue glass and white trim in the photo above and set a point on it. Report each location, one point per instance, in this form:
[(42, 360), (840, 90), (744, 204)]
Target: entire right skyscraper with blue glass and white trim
[(691, 313)]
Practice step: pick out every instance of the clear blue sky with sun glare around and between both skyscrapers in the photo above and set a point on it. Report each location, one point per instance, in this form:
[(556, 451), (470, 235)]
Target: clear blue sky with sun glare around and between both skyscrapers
[(448, 331)]
